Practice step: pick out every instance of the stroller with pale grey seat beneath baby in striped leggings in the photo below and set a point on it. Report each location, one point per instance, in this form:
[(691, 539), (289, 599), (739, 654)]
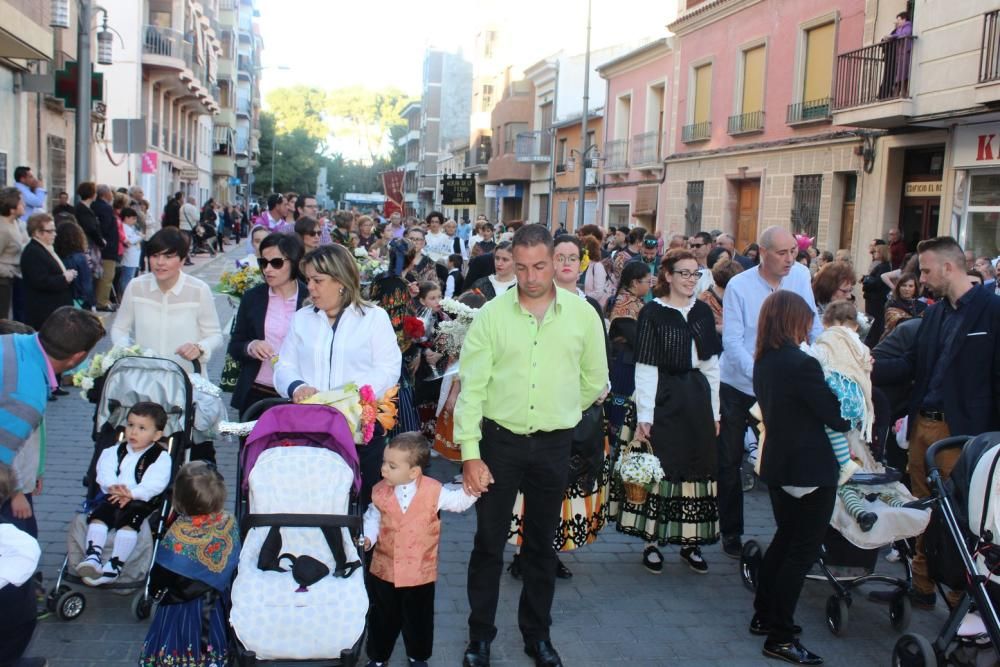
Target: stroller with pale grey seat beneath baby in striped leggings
[(850, 554)]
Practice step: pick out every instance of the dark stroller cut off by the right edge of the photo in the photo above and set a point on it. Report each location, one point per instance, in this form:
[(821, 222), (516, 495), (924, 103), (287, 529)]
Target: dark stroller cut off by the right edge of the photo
[(962, 554)]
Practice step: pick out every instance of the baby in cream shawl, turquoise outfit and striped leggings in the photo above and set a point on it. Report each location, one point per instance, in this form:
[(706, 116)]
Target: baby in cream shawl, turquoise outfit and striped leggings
[(847, 366)]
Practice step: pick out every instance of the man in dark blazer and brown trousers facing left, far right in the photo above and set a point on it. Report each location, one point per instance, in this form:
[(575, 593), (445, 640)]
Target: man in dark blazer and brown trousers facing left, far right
[(955, 368)]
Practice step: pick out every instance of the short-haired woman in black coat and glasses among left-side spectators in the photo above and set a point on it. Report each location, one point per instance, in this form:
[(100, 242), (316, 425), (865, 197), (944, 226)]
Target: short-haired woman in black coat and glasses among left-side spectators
[(48, 284)]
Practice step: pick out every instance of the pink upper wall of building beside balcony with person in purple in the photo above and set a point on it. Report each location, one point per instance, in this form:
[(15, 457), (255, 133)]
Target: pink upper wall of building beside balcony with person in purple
[(780, 24)]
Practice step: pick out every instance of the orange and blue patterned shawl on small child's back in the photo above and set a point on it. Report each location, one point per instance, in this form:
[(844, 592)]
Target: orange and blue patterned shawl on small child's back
[(204, 548)]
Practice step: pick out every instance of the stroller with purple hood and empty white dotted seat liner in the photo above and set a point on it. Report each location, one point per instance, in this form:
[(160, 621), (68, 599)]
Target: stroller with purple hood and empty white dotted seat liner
[(299, 592)]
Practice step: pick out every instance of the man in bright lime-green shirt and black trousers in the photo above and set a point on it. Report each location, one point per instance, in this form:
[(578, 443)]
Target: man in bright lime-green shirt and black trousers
[(532, 361)]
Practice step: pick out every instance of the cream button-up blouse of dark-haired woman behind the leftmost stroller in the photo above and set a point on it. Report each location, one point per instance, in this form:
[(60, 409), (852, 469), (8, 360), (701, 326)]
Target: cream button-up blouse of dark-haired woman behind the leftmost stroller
[(163, 321)]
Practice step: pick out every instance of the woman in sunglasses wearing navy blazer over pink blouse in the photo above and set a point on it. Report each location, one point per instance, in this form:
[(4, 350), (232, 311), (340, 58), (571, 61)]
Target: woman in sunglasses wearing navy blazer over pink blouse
[(264, 316)]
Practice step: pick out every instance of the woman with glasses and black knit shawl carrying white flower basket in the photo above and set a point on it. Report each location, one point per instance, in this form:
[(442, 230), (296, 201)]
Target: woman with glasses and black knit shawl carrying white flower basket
[(677, 403)]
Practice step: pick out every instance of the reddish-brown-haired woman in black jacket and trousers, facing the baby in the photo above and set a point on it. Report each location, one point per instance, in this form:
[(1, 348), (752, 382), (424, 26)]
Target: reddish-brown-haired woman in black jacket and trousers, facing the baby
[(797, 464)]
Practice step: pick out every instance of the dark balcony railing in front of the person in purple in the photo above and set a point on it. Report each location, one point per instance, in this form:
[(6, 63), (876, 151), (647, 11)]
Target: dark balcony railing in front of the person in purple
[(875, 73)]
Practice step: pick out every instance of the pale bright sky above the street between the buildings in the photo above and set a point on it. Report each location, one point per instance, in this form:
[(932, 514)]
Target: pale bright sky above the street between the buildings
[(378, 43)]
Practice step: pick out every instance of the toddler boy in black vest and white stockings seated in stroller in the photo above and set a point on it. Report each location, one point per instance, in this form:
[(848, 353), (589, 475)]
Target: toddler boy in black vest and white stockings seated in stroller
[(132, 476)]
